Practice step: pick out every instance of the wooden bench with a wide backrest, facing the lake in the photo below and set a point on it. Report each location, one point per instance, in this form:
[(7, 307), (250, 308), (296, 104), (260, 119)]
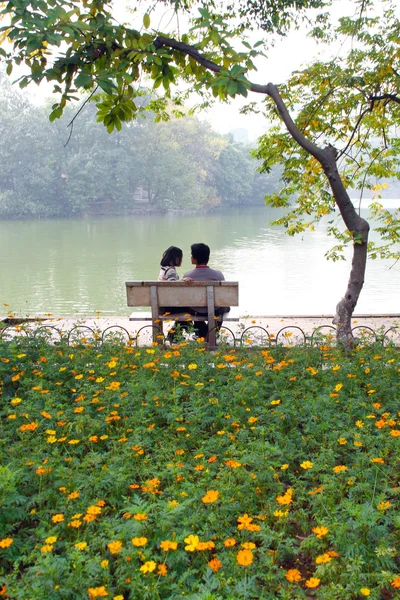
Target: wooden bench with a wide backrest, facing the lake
[(209, 294)]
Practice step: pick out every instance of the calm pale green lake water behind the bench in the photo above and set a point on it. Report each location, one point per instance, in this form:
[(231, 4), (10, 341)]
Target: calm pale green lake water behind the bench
[(78, 267)]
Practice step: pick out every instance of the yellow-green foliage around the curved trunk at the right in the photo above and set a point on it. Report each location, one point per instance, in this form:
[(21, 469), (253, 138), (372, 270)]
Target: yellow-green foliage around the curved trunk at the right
[(350, 102)]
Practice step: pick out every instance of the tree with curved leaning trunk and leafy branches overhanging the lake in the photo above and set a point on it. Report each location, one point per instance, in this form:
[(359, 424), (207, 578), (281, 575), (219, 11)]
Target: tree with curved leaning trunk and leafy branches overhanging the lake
[(335, 121)]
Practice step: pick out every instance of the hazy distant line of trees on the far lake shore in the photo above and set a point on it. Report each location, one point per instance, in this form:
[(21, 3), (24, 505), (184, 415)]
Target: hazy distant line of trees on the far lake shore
[(179, 164)]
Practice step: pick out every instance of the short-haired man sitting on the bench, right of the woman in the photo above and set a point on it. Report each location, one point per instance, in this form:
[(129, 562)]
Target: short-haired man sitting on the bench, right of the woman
[(202, 272)]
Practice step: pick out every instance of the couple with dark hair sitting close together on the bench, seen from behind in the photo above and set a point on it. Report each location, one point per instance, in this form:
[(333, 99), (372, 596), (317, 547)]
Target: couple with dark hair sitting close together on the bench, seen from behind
[(171, 259)]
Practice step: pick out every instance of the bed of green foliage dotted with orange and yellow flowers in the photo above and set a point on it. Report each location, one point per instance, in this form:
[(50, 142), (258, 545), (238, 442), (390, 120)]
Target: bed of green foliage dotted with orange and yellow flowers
[(133, 473)]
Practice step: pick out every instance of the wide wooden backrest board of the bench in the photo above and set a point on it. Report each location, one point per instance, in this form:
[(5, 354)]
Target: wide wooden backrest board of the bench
[(179, 293)]
